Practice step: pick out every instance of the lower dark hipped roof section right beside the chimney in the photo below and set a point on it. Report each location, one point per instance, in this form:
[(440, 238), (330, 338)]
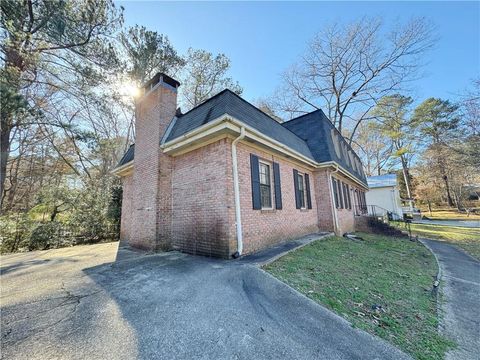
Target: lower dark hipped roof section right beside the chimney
[(227, 102)]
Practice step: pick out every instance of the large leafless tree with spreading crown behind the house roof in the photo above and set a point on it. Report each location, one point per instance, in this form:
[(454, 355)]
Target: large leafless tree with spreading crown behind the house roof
[(347, 68)]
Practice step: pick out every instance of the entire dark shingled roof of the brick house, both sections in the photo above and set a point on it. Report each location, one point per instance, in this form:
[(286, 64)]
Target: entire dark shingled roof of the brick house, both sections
[(312, 135)]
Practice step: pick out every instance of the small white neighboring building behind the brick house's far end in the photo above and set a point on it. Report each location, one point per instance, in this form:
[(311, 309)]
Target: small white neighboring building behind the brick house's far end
[(385, 194)]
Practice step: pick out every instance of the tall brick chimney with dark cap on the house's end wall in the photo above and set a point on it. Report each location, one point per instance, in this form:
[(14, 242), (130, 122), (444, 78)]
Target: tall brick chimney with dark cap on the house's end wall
[(151, 223)]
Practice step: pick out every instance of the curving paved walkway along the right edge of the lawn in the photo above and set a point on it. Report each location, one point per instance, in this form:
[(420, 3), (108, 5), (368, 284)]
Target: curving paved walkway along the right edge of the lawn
[(461, 305)]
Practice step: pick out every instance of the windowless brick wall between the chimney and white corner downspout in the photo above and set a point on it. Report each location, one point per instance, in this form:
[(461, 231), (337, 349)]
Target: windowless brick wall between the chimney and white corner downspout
[(202, 200)]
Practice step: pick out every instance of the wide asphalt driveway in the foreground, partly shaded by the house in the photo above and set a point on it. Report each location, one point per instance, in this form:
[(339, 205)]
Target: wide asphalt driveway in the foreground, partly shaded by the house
[(79, 303)]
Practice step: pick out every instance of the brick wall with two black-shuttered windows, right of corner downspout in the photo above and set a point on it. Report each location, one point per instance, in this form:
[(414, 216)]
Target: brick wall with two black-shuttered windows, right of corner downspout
[(263, 228)]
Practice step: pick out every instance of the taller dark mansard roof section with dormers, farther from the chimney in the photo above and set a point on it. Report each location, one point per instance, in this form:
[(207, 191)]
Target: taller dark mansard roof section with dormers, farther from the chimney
[(325, 142)]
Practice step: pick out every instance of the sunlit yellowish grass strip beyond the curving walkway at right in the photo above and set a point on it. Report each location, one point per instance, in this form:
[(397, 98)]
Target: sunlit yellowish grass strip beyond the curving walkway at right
[(466, 238)]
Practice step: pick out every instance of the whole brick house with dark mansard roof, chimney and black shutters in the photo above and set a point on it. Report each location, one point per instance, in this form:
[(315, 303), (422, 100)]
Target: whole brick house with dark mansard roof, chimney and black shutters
[(225, 179)]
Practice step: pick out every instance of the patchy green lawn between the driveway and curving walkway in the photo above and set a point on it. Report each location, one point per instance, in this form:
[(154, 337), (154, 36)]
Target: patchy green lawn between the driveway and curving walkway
[(382, 285)]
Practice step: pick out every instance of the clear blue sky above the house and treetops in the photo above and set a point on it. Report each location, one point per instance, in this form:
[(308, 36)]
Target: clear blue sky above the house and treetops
[(263, 38)]
